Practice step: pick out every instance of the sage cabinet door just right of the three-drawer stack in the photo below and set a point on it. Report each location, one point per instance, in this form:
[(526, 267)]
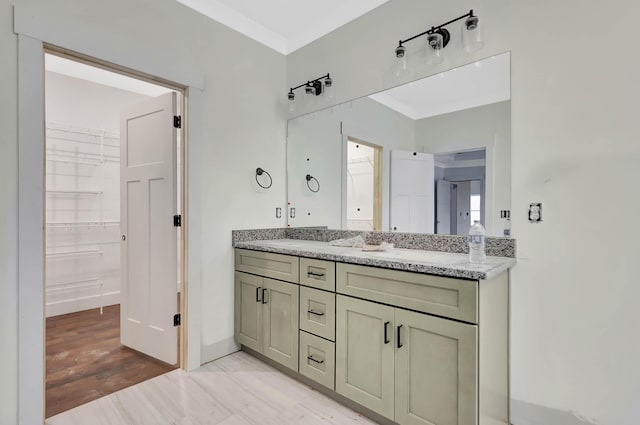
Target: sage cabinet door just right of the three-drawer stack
[(364, 358)]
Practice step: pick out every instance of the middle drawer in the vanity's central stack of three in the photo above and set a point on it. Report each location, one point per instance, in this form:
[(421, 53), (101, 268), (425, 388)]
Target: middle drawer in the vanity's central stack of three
[(318, 312)]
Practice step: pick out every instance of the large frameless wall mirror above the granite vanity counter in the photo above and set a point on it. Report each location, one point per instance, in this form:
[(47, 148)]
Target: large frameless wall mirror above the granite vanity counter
[(430, 156)]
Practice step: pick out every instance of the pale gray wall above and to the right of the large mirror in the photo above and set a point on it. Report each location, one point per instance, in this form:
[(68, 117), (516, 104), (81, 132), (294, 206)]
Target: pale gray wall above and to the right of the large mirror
[(574, 291)]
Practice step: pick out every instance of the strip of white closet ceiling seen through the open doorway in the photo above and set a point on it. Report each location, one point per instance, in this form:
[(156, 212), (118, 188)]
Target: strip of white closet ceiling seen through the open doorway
[(79, 70)]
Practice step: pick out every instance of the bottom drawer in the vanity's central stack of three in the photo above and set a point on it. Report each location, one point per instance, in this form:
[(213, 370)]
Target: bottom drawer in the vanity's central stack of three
[(317, 359)]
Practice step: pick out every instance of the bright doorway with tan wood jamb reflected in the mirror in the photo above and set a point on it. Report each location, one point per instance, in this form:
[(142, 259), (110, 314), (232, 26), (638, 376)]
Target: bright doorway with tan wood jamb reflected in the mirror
[(364, 188)]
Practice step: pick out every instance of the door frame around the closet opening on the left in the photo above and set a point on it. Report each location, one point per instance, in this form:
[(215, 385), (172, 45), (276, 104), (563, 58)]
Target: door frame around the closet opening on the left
[(31, 213)]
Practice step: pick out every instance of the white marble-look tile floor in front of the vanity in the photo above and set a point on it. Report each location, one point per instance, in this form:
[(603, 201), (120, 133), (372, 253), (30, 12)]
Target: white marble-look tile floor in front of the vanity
[(235, 390)]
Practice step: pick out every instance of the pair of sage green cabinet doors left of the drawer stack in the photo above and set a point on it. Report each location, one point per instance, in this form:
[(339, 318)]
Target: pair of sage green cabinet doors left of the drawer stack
[(266, 317)]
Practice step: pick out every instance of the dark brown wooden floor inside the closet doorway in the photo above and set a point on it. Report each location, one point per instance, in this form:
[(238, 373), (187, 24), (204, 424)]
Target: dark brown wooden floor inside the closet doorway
[(85, 360)]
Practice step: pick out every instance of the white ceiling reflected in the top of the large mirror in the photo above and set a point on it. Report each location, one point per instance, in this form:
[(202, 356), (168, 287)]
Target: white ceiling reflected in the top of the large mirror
[(480, 83)]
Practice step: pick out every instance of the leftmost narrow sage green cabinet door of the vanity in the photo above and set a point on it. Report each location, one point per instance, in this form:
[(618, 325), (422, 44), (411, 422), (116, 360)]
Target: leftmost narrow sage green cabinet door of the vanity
[(248, 310)]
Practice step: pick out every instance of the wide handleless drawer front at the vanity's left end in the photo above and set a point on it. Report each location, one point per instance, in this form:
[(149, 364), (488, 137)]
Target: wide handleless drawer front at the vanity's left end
[(276, 266)]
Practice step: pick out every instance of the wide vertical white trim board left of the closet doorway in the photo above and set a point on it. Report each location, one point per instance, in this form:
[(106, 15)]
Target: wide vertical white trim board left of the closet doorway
[(31, 366)]
